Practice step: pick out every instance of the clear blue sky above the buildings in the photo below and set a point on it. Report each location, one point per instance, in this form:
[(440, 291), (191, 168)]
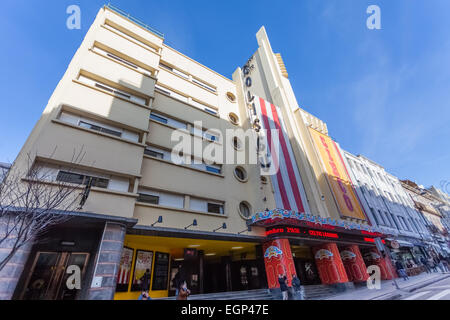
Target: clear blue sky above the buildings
[(383, 93)]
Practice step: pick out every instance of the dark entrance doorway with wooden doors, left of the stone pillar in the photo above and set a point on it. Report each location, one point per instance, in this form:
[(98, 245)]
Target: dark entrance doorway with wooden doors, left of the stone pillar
[(48, 277)]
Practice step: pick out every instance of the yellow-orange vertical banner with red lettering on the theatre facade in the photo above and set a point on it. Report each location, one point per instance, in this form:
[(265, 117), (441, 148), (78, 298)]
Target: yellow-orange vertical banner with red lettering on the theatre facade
[(337, 176)]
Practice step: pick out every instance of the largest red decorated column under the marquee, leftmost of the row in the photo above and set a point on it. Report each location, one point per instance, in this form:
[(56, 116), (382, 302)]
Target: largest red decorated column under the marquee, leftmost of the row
[(278, 259)]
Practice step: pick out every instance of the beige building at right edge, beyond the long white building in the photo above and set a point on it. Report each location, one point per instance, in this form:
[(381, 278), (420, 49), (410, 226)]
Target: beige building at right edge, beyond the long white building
[(425, 202)]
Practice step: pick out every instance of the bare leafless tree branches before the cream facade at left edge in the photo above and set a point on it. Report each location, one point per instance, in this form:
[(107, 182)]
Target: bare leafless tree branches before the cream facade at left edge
[(32, 201)]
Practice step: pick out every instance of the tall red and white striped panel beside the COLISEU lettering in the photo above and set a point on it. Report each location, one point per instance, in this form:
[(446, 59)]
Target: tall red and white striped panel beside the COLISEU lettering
[(289, 191)]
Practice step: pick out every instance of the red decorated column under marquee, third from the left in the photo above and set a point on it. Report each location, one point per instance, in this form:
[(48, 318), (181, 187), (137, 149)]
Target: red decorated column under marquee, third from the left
[(354, 264)]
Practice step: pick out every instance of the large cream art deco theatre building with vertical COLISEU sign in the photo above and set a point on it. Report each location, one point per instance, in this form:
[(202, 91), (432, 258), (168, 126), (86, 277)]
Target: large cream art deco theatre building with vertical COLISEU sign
[(126, 100)]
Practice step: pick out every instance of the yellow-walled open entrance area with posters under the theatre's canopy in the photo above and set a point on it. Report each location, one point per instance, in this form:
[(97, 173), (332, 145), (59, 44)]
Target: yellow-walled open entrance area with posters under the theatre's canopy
[(163, 255)]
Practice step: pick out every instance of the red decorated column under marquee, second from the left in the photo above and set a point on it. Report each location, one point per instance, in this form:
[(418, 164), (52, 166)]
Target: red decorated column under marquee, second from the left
[(329, 264)]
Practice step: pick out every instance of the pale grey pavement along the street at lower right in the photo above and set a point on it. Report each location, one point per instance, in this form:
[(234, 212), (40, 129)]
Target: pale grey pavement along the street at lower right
[(388, 291)]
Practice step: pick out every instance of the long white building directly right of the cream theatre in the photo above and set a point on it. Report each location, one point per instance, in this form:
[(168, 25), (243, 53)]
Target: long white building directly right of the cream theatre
[(391, 209)]
